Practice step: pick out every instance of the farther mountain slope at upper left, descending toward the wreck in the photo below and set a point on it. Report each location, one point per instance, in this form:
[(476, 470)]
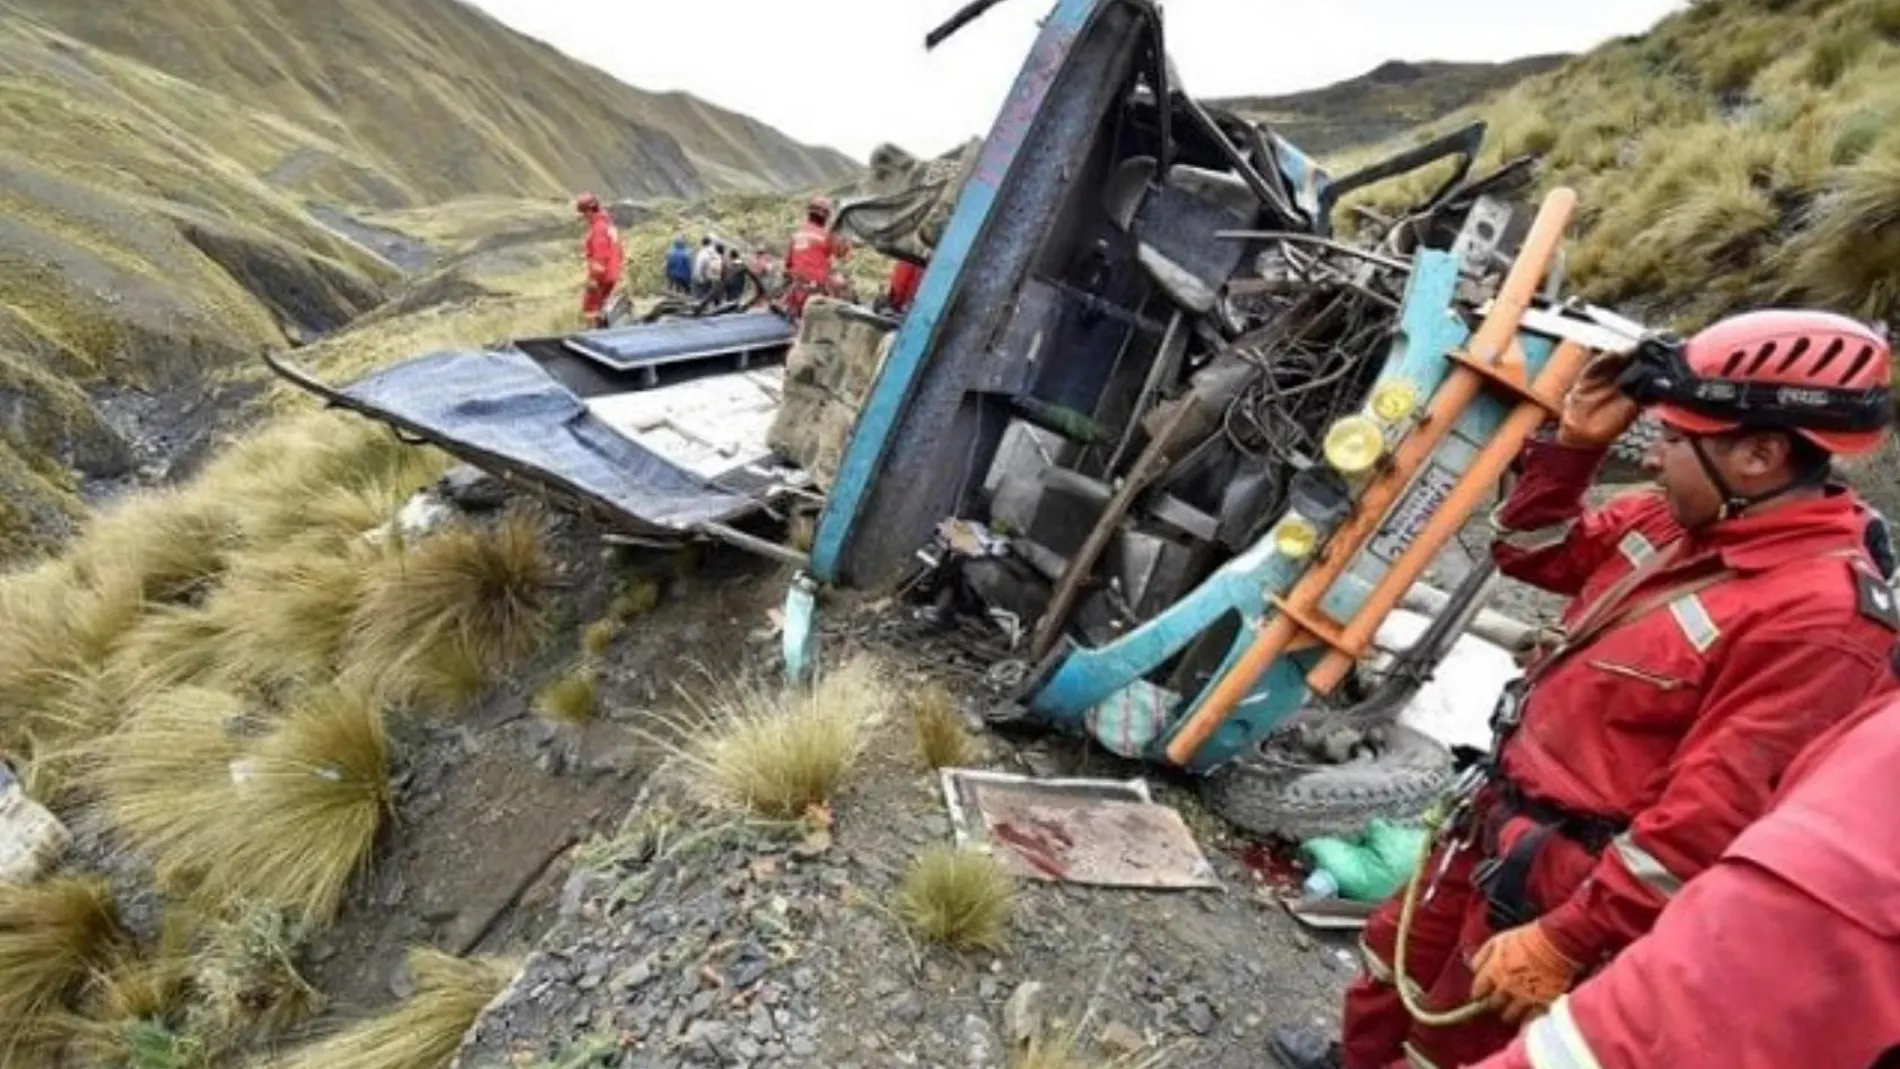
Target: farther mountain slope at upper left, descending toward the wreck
[(438, 100)]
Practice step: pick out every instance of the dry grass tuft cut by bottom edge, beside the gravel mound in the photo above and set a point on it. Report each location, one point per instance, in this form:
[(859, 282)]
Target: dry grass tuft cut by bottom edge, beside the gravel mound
[(421, 1034)]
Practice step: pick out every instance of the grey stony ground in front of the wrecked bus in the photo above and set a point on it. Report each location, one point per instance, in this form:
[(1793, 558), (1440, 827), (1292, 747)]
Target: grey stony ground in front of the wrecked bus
[(694, 939)]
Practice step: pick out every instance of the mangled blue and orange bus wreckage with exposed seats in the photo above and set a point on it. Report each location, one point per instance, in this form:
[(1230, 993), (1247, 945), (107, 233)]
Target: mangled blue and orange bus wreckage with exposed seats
[(1187, 445)]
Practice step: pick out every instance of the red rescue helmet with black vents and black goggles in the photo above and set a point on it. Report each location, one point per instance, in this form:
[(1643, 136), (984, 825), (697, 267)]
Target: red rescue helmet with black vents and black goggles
[(1817, 375)]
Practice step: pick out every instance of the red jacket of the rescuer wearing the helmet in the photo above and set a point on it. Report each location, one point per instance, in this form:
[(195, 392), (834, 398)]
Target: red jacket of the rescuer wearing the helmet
[(1679, 721)]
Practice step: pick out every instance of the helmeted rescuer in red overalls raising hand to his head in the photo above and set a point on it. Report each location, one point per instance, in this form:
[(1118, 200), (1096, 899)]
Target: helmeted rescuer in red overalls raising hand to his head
[(1720, 622)]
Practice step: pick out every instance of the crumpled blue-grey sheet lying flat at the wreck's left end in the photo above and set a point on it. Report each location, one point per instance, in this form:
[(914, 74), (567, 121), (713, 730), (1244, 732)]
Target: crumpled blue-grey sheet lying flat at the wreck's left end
[(506, 407)]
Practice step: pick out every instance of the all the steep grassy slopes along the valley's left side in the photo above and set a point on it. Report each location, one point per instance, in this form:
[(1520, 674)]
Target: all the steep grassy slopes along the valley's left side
[(180, 183)]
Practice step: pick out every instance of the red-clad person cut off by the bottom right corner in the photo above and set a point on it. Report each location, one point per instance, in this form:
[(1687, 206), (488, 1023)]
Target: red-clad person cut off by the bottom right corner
[(1787, 952)]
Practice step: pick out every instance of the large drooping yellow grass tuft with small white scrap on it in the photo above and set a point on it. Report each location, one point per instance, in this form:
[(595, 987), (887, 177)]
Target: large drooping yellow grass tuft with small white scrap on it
[(282, 819)]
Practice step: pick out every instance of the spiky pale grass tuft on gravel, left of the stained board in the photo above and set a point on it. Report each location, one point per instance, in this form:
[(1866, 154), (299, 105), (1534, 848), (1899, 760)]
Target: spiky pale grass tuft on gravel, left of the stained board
[(780, 753)]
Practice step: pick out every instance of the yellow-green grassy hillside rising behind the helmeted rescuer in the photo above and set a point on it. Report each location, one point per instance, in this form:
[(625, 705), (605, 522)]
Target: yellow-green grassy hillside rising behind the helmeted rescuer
[(1741, 153)]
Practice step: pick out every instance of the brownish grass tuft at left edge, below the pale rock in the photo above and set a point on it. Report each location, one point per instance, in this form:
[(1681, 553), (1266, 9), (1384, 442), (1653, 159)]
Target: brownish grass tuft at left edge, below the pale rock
[(54, 937)]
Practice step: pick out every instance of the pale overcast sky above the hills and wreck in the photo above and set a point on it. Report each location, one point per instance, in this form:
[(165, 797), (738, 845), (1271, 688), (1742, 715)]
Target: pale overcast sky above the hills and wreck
[(854, 73)]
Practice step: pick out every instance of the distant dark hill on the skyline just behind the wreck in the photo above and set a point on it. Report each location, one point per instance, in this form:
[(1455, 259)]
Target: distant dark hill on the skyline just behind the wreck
[(1386, 102)]
